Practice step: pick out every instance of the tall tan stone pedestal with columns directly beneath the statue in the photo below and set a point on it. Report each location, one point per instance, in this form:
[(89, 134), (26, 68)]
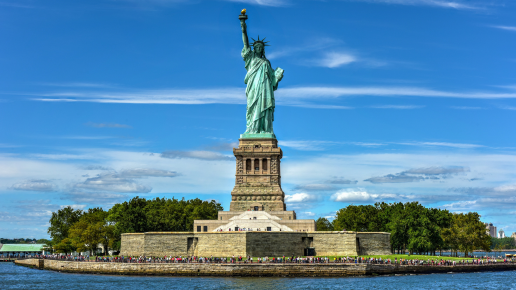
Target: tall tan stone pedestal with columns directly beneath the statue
[(258, 177)]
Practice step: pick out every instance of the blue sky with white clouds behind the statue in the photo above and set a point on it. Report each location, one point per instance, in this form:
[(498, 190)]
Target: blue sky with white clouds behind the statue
[(382, 100)]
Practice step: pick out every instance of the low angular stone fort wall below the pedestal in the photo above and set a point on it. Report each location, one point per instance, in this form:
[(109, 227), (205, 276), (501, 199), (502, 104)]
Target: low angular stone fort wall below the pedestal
[(255, 244)]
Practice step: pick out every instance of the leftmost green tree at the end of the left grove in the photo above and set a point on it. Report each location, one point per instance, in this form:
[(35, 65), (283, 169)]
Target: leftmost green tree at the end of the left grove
[(61, 221)]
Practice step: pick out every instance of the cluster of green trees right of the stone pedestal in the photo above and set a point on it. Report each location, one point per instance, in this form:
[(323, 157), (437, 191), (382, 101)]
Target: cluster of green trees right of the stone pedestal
[(416, 228)]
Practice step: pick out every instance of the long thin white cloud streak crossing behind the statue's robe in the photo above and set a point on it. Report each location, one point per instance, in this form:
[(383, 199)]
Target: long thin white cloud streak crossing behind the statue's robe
[(290, 96)]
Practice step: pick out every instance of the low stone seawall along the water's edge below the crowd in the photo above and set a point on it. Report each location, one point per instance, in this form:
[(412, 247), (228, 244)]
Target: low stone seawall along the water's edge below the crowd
[(251, 270)]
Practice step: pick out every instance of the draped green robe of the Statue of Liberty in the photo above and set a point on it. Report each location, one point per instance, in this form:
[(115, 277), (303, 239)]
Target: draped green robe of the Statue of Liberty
[(261, 82)]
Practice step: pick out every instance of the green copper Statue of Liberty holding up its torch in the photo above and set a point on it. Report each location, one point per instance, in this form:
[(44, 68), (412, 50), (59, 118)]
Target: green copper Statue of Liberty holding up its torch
[(261, 82)]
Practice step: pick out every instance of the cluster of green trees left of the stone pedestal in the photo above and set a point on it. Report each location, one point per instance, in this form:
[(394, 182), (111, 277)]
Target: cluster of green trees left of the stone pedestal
[(73, 230)]
